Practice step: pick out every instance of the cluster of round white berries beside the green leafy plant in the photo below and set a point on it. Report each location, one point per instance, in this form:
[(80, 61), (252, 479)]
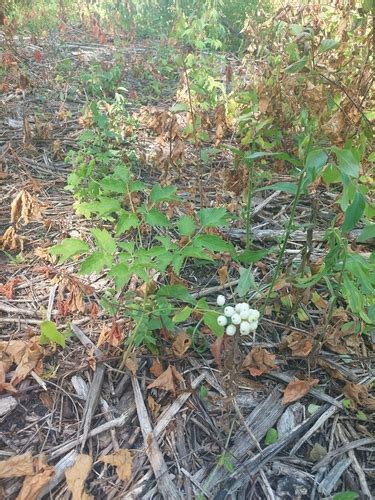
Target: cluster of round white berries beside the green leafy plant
[(240, 317)]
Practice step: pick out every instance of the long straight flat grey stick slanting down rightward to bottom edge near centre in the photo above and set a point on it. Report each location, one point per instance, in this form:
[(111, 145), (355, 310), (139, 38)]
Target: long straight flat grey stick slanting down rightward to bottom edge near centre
[(165, 485)]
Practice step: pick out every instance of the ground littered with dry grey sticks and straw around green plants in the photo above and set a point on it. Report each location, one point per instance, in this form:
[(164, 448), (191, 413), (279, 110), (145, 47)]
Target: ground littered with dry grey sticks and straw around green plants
[(205, 437)]
